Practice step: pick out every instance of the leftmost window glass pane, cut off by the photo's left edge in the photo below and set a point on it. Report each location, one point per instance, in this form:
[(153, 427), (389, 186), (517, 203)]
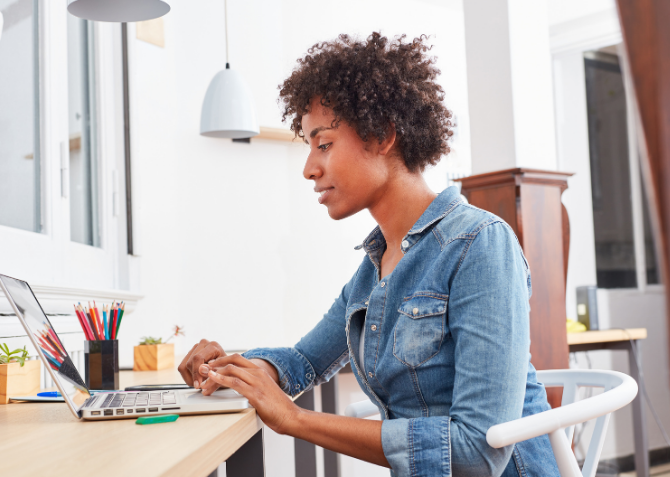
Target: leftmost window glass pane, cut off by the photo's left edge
[(20, 159)]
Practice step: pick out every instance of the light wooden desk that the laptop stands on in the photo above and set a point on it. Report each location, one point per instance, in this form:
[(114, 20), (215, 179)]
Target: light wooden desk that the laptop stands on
[(46, 439)]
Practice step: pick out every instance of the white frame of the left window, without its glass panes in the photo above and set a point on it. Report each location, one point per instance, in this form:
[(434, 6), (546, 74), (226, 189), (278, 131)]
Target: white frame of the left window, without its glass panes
[(49, 257)]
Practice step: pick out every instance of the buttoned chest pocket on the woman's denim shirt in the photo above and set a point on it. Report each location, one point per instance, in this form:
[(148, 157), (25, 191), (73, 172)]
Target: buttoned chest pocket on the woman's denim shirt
[(421, 328)]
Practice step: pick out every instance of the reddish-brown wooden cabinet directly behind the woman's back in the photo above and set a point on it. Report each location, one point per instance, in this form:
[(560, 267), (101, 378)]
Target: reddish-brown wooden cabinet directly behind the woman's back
[(530, 202)]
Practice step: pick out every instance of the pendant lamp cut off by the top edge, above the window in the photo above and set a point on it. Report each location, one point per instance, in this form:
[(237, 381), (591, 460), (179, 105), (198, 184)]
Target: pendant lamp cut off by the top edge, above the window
[(118, 10)]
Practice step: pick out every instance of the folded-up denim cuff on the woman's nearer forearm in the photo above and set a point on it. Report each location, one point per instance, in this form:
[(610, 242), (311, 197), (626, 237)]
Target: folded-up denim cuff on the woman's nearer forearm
[(418, 447)]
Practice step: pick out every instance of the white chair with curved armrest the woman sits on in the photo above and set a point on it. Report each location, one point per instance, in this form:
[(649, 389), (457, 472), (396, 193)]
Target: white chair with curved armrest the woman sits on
[(559, 423)]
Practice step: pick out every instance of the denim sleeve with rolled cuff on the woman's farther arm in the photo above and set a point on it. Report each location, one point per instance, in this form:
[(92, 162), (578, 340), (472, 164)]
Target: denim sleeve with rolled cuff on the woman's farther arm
[(318, 356)]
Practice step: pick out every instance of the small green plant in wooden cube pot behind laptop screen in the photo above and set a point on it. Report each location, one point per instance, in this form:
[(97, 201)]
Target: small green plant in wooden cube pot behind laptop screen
[(19, 376)]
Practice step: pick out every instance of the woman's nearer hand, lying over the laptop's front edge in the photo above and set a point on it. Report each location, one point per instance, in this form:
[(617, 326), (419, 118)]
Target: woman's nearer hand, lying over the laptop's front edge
[(273, 406)]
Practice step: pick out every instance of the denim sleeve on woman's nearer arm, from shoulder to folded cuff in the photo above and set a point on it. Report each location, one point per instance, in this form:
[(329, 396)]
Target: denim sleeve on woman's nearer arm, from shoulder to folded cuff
[(489, 323)]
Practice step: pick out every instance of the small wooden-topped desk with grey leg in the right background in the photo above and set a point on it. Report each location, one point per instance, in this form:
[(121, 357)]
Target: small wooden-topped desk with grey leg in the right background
[(626, 340)]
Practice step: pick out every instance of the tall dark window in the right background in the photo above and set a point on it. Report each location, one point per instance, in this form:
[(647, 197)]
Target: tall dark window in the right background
[(625, 254)]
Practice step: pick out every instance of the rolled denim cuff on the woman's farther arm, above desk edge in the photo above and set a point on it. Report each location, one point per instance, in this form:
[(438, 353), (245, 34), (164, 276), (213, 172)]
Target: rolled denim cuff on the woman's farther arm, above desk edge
[(296, 373)]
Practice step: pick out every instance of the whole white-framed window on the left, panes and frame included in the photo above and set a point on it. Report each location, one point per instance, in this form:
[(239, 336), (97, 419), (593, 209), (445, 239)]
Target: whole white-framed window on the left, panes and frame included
[(61, 149)]
